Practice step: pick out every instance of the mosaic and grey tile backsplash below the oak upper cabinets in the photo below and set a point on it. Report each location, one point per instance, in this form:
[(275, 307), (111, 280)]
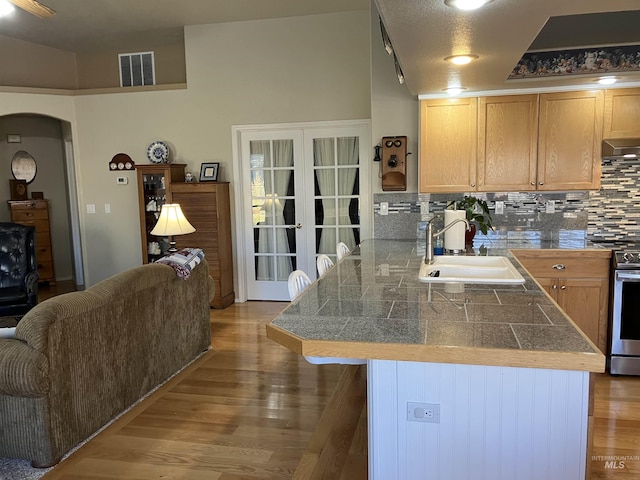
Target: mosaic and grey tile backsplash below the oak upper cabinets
[(609, 214)]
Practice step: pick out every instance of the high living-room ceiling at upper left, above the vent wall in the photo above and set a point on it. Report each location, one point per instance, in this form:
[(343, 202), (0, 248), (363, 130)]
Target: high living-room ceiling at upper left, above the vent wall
[(95, 25)]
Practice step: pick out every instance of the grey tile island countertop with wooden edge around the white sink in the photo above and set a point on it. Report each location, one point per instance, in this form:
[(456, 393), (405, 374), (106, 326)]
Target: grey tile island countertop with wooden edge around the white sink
[(372, 305)]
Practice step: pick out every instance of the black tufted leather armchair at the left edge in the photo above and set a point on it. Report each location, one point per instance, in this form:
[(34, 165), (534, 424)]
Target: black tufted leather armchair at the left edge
[(18, 269)]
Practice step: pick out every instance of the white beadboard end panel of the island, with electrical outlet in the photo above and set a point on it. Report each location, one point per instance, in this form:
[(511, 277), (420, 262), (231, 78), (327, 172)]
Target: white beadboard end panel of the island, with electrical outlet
[(496, 423)]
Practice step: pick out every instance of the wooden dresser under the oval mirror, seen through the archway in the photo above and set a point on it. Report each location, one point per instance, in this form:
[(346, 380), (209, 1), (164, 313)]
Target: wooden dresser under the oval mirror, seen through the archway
[(36, 213)]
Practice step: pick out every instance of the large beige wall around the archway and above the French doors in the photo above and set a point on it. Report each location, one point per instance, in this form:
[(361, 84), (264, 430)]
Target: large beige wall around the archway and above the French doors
[(282, 70)]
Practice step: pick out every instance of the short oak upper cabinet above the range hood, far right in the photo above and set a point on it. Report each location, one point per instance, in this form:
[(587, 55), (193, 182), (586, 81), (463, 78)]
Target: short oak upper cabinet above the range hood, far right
[(622, 113)]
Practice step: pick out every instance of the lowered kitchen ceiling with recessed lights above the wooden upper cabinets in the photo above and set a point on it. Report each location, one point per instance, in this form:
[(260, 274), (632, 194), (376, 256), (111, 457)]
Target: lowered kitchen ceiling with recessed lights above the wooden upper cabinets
[(423, 32)]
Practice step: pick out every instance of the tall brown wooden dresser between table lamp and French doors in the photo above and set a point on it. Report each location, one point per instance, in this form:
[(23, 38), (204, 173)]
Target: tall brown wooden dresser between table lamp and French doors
[(206, 206)]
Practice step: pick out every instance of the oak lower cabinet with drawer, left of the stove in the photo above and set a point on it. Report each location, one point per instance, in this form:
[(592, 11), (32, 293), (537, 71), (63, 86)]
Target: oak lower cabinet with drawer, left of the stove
[(578, 281)]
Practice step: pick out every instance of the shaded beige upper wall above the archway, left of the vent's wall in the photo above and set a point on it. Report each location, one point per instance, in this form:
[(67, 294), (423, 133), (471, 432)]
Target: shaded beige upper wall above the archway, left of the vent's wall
[(31, 65)]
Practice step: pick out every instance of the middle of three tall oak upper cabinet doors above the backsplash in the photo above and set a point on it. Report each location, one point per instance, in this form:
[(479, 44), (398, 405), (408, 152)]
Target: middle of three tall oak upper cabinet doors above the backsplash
[(507, 143)]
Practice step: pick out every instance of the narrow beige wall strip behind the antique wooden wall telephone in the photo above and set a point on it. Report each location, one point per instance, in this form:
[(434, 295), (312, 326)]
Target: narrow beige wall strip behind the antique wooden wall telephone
[(394, 111)]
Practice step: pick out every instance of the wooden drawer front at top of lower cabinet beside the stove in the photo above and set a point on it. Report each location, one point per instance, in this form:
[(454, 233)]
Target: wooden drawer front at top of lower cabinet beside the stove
[(564, 265)]
